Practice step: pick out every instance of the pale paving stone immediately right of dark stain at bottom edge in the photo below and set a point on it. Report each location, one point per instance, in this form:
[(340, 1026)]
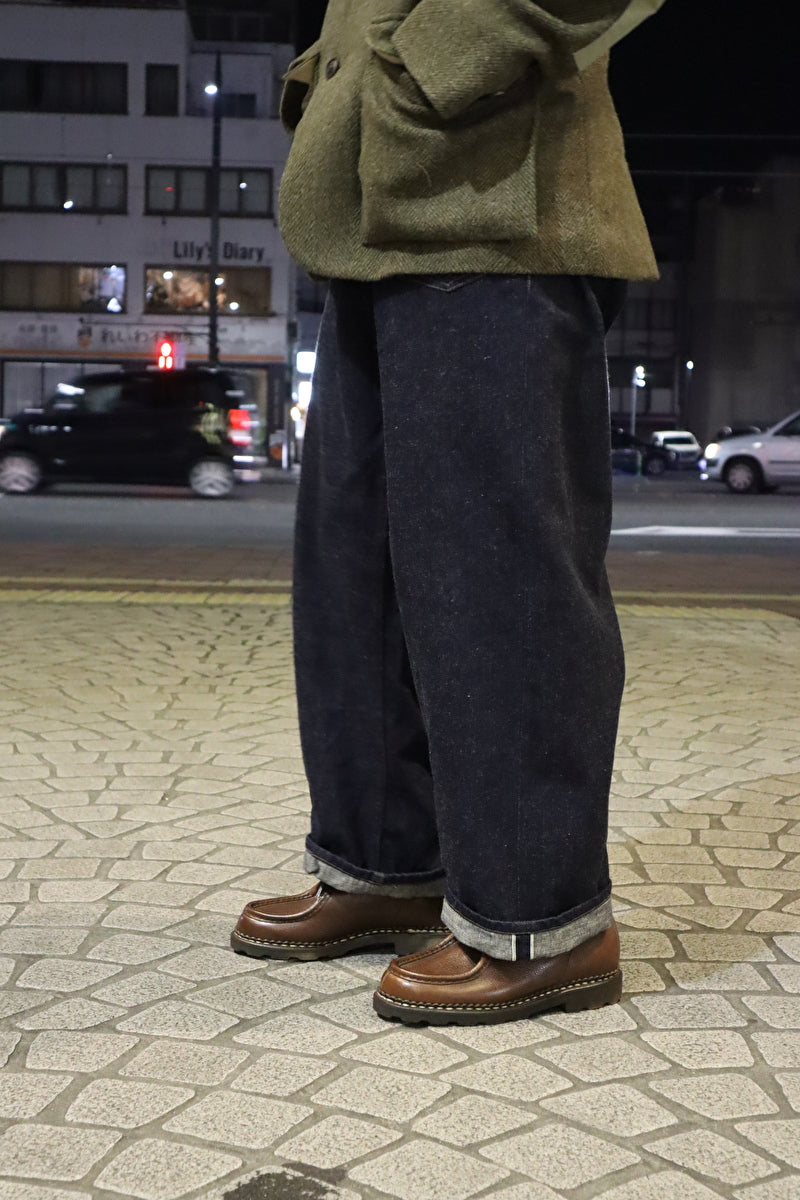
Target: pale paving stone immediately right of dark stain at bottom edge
[(422, 1171)]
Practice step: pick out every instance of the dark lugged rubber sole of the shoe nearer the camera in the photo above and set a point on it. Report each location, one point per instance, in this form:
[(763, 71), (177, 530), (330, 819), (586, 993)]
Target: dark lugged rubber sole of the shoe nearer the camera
[(575, 998)]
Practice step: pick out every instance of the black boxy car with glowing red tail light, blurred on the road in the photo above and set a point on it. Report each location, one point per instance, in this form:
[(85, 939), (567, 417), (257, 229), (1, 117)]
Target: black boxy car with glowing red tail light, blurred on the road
[(195, 427)]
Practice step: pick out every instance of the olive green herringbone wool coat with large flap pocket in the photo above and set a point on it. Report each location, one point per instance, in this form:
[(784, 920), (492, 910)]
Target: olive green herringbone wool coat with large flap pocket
[(450, 136)]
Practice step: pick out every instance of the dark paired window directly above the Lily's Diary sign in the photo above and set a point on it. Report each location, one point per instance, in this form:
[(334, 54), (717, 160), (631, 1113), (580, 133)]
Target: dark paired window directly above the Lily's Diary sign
[(185, 191)]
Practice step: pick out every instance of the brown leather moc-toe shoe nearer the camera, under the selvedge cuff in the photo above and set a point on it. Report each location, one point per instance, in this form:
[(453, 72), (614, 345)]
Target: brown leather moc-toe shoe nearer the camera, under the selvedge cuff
[(453, 985)]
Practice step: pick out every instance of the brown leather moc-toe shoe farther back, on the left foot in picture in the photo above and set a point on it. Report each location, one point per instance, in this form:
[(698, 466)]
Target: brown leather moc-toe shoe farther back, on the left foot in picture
[(324, 923)]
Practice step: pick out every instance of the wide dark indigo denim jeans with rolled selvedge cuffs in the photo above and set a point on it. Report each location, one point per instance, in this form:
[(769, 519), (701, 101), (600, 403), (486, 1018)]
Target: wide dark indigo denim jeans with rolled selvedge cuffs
[(459, 661)]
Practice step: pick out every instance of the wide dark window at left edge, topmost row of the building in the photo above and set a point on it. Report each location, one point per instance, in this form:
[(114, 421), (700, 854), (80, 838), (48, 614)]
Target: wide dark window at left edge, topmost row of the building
[(45, 87)]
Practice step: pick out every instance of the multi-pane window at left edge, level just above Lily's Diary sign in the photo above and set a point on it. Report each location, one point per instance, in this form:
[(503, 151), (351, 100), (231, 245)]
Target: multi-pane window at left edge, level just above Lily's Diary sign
[(47, 188)]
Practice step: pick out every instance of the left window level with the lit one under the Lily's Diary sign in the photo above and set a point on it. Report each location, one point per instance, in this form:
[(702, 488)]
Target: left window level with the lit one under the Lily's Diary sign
[(62, 287)]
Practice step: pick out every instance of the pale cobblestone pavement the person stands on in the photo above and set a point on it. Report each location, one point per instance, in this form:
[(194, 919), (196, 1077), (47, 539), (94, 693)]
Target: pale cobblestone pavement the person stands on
[(151, 783)]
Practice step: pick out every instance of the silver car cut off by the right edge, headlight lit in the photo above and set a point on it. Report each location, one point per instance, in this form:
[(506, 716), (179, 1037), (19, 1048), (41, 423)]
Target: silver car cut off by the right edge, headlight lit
[(757, 463)]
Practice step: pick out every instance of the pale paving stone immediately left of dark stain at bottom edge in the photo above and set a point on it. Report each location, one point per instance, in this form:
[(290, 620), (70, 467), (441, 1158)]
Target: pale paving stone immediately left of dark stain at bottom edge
[(154, 1169)]
